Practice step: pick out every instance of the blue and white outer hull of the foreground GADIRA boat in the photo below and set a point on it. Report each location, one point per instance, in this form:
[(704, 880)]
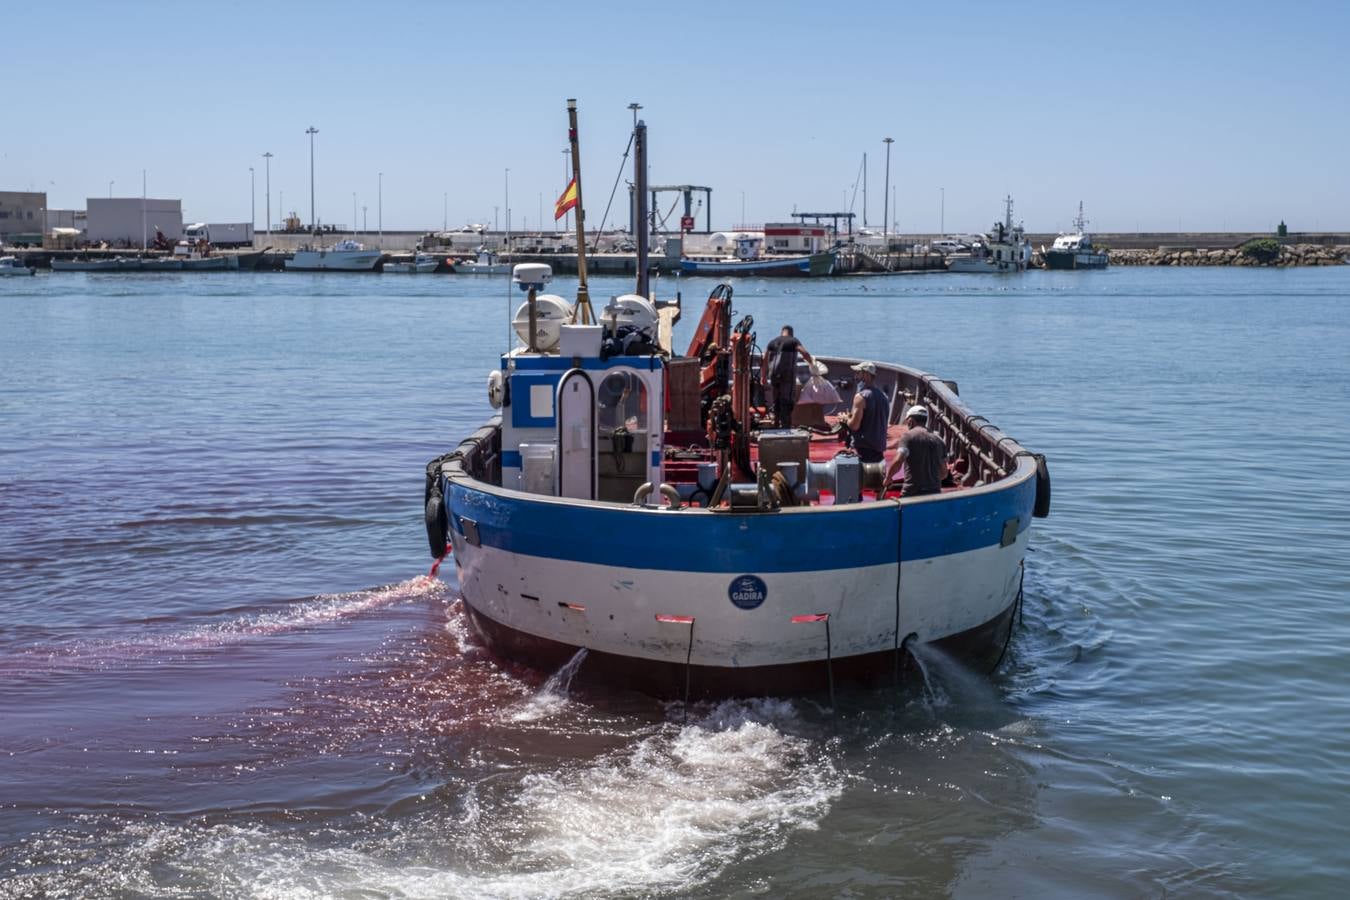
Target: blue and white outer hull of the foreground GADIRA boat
[(539, 584)]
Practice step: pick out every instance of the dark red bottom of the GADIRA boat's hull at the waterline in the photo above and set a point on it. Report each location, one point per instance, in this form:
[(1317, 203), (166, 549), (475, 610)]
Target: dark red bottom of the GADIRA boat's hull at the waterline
[(979, 647)]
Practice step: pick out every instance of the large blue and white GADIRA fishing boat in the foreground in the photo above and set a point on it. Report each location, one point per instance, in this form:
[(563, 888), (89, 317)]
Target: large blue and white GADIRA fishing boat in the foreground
[(634, 503)]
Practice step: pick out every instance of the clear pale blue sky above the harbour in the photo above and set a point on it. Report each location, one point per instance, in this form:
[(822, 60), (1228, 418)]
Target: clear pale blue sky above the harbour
[(1156, 115)]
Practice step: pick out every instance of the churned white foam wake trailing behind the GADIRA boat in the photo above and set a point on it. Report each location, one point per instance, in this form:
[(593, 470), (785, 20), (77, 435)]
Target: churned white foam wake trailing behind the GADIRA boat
[(661, 814)]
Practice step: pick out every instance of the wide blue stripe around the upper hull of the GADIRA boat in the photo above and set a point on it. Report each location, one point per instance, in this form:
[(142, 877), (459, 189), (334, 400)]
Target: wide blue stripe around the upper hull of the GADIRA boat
[(628, 538)]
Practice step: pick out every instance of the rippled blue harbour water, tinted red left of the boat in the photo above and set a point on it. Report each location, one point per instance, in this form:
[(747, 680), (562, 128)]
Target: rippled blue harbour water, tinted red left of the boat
[(223, 671)]
